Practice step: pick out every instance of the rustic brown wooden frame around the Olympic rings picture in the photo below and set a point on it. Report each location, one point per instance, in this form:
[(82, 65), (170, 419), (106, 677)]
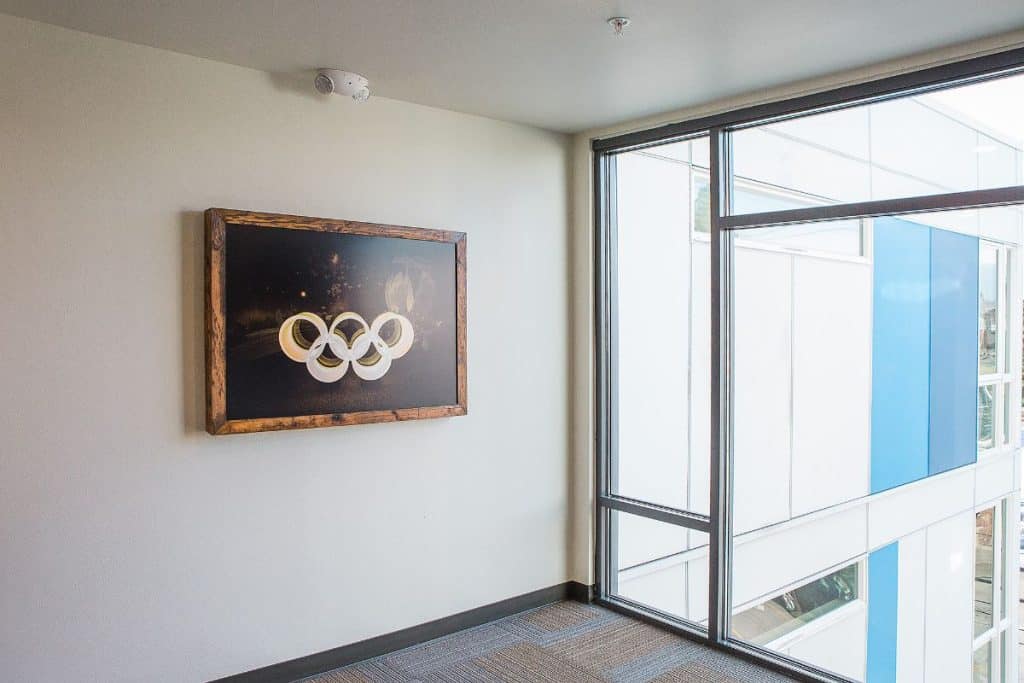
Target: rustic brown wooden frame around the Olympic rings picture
[(217, 370)]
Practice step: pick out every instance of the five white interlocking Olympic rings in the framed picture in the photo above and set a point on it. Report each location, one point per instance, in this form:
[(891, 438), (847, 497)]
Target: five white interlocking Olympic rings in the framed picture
[(355, 352)]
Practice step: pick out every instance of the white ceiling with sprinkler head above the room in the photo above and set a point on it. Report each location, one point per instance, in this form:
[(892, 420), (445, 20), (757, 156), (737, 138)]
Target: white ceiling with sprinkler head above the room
[(553, 64)]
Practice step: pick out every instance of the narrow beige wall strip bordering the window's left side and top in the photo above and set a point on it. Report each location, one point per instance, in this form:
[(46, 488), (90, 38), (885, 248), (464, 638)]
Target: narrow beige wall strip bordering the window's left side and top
[(583, 456)]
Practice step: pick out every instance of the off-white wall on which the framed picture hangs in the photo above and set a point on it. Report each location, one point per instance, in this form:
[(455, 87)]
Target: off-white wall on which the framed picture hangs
[(135, 546)]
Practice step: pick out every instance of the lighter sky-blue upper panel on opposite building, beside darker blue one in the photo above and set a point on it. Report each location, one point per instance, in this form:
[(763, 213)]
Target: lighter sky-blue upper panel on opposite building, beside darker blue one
[(901, 351)]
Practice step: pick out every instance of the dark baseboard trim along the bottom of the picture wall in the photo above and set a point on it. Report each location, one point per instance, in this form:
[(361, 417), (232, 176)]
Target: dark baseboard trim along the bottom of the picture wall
[(293, 670)]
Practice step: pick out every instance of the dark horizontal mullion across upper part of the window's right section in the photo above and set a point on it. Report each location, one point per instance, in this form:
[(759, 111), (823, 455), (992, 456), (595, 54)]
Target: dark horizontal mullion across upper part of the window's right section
[(974, 199)]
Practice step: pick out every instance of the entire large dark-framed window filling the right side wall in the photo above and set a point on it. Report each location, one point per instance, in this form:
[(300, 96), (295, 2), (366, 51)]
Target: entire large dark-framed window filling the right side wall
[(807, 379)]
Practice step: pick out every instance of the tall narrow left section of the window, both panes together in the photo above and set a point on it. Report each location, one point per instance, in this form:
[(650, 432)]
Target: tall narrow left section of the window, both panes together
[(662, 375)]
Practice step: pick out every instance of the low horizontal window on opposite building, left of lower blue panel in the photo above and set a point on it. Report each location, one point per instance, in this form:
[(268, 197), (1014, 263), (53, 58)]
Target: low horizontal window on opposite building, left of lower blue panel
[(774, 619)]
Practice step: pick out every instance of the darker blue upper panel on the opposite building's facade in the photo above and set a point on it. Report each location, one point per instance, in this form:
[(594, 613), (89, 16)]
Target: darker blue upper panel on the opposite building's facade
[(954, 400)]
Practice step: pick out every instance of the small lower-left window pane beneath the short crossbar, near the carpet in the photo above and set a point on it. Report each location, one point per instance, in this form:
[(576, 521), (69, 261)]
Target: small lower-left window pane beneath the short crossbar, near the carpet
[(660, 566)]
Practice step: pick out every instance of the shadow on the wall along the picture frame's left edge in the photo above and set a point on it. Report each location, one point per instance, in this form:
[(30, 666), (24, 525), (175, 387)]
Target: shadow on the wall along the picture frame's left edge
[(193, 326)]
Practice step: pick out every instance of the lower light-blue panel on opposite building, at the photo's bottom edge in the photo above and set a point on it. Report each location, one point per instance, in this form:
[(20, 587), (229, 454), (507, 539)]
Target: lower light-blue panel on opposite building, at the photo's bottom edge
[(883, 595)]
